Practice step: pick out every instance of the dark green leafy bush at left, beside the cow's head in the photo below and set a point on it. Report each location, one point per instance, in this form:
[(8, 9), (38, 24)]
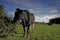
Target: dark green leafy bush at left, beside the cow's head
[(6, 26)]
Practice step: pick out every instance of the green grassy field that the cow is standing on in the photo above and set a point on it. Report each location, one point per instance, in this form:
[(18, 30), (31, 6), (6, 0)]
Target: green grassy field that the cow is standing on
[(41, 32)]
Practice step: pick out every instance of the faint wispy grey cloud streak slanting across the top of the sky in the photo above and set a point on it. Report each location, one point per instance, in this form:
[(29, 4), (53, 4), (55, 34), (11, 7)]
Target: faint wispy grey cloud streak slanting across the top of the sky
[(27, 3)]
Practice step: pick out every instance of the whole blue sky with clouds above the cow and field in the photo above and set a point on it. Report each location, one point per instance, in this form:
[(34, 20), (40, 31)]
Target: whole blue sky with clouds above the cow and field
[(43, 10)]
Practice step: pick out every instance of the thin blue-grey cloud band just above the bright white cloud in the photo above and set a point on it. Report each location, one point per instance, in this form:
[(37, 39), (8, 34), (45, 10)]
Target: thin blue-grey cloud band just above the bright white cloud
[(44, 11)]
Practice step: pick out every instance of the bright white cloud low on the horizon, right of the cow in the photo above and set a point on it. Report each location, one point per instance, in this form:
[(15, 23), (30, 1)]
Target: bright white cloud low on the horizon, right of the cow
[(46, 18)]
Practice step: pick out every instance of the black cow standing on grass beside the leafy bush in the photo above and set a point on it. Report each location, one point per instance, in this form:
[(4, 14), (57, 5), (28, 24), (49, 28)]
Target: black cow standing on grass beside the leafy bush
[(26, 18)]
